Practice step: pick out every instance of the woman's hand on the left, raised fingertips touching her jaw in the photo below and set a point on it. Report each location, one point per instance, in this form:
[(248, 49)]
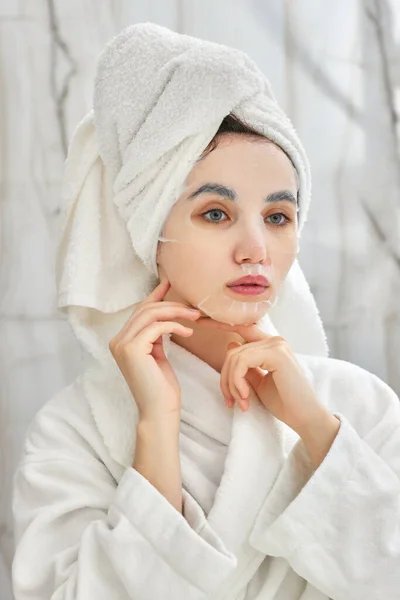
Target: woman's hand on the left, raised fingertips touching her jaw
[(139, 353)]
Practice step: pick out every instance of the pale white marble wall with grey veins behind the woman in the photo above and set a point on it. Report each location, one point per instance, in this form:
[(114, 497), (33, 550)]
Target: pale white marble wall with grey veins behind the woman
[(334, 67)]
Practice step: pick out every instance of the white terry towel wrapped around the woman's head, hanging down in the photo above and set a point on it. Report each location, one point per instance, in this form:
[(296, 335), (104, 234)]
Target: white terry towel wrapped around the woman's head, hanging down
[(159, 99)]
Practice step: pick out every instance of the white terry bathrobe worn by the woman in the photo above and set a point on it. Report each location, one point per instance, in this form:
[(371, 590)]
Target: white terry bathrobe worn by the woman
[(258, 522)]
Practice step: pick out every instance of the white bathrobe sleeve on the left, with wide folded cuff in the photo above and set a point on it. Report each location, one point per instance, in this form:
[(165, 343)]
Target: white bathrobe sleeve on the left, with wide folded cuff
[(78, 535)]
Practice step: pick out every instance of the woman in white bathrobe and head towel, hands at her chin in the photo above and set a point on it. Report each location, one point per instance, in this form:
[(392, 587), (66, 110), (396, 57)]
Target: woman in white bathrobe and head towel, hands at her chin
[(138, 481)]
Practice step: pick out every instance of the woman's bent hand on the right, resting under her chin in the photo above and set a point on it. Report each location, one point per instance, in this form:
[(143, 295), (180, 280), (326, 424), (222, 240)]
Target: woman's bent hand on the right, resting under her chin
[(284, 390)]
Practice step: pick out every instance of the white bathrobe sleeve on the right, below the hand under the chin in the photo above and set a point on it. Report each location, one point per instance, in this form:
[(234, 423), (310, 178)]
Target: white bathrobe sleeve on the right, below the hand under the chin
[(341, 530)]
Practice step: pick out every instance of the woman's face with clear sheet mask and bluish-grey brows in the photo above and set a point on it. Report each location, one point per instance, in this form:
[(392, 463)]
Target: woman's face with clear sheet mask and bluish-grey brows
[(215, 231)]
